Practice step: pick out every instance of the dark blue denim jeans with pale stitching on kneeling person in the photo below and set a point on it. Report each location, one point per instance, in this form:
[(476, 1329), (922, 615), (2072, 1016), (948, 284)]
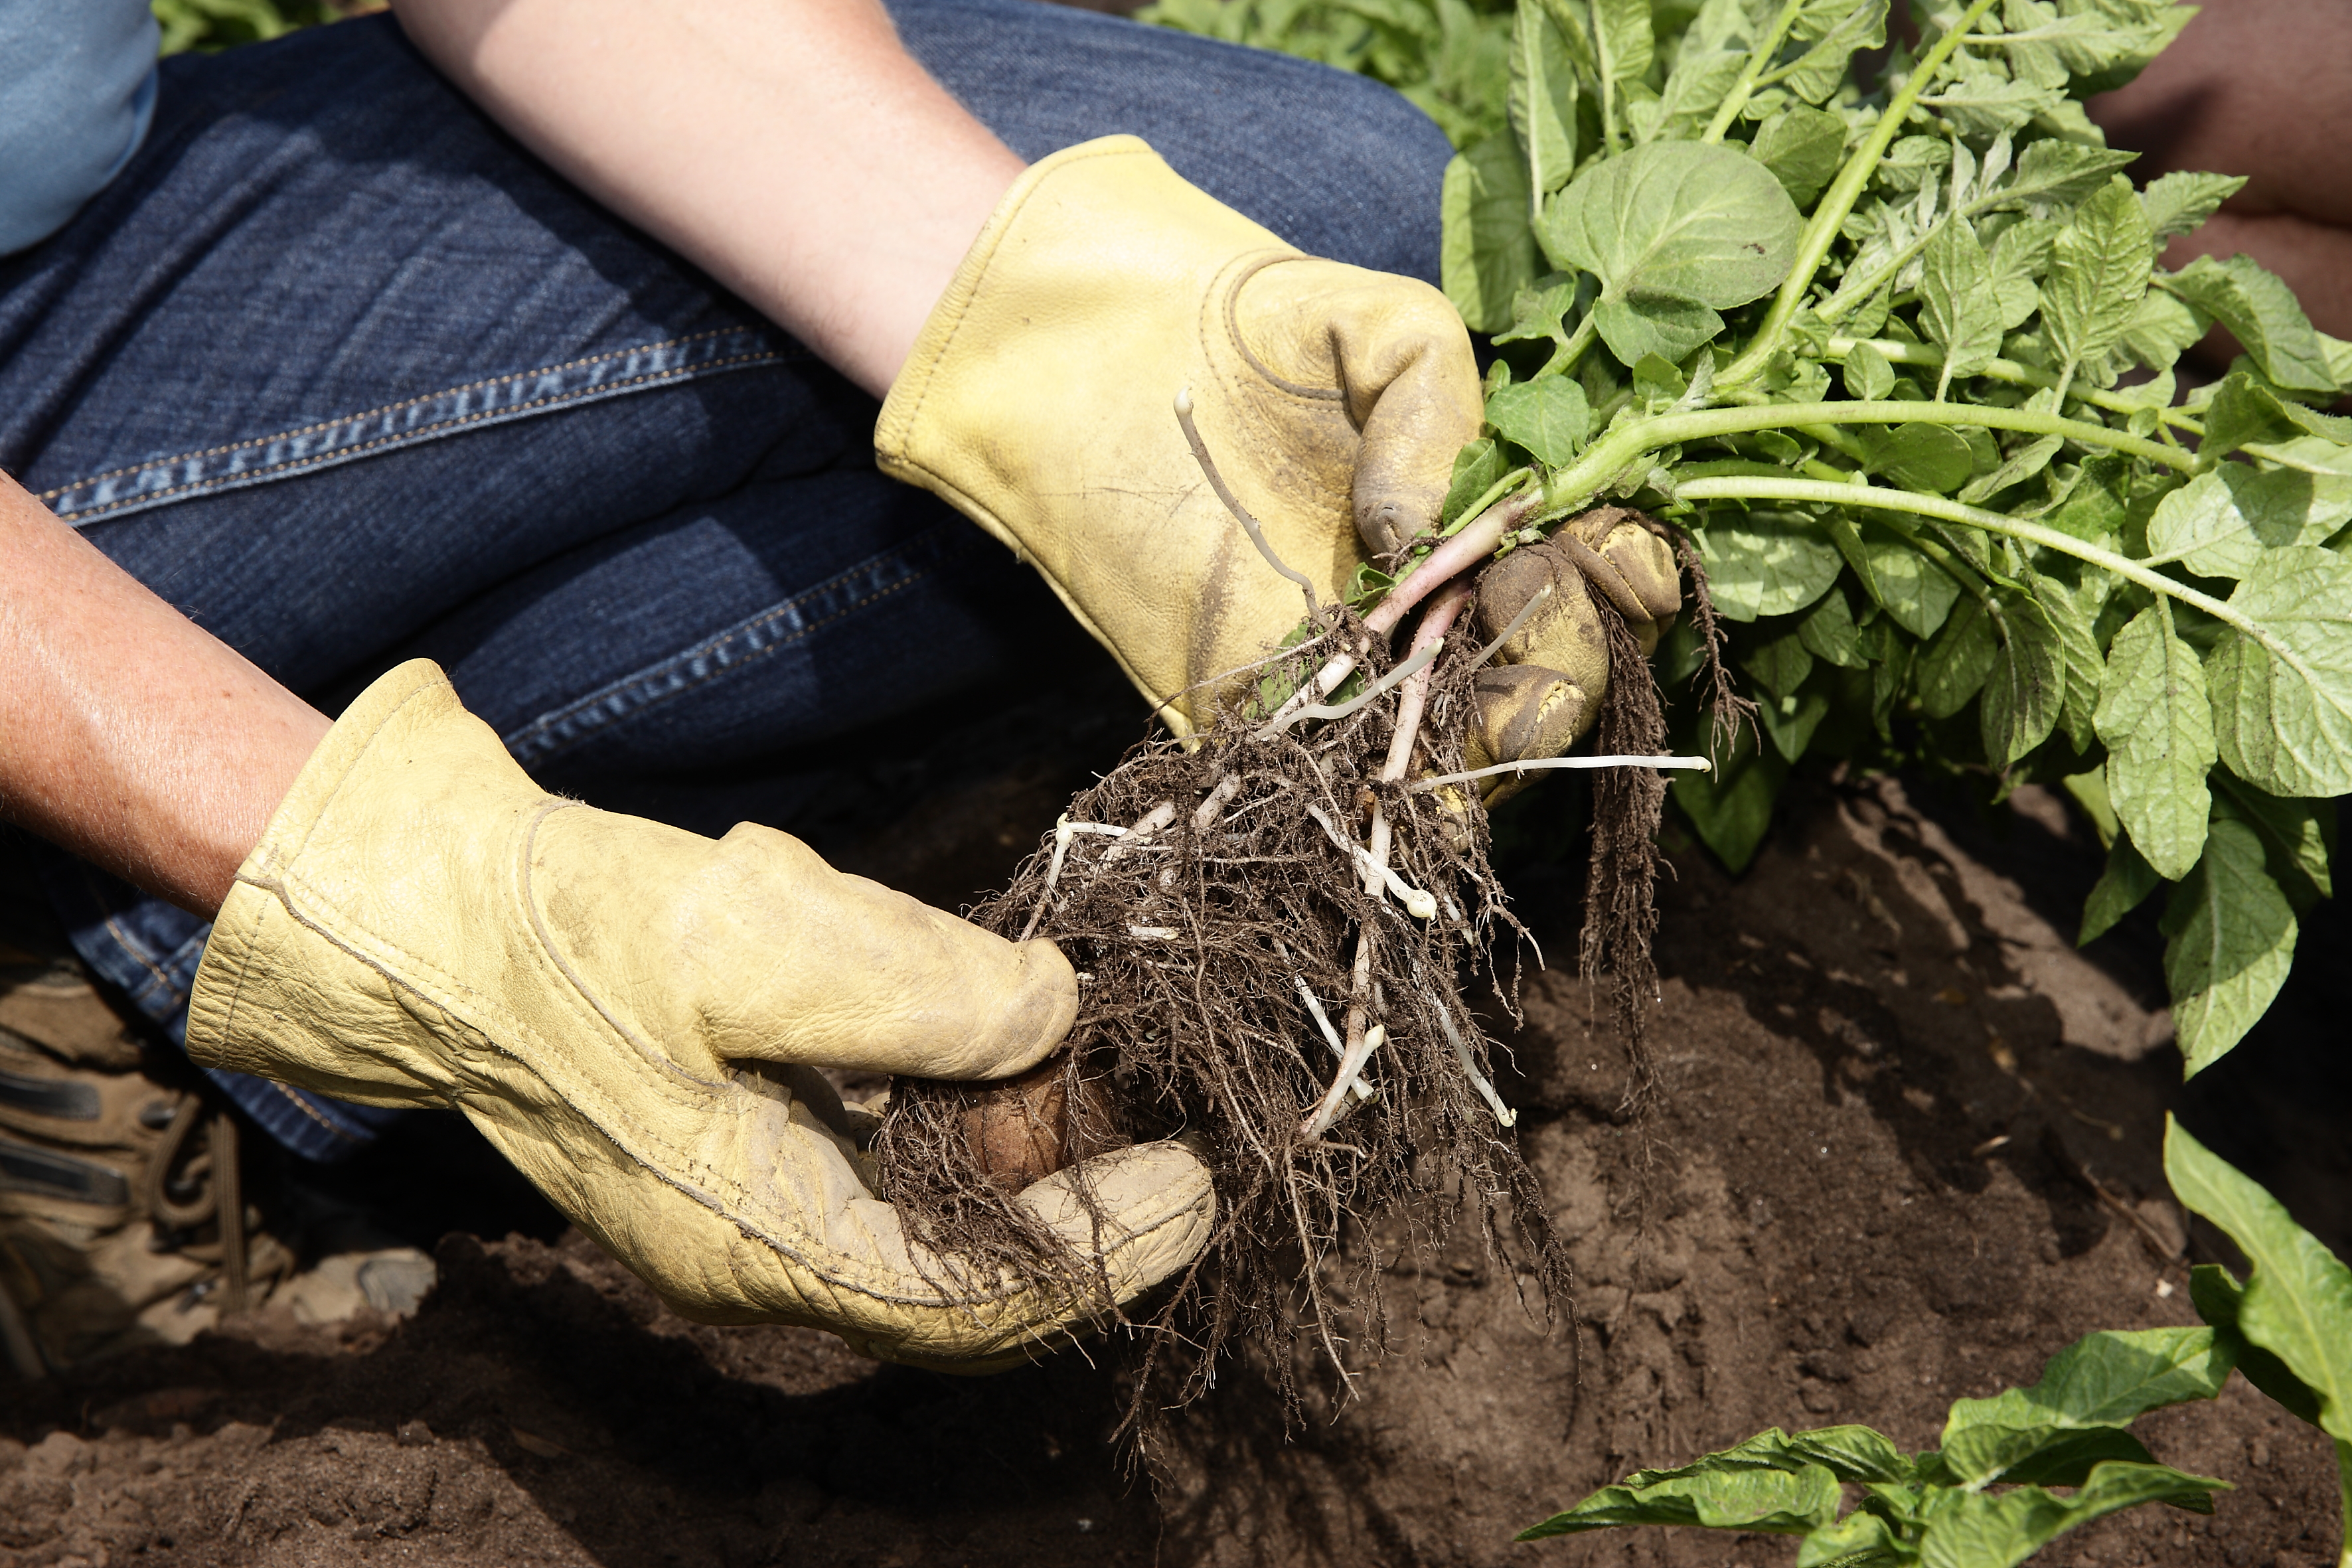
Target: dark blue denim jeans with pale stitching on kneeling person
[(349, 377)]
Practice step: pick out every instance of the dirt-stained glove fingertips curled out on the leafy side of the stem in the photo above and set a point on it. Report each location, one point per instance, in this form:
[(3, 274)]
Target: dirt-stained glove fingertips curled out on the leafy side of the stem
[(1546, 688)]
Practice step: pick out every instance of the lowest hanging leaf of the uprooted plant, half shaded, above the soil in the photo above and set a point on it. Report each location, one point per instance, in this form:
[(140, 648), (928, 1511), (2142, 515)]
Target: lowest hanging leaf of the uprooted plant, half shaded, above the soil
[(2231, 939)]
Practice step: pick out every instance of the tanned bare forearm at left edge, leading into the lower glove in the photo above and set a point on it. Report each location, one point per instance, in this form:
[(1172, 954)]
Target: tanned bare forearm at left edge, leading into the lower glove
[(128, 735)]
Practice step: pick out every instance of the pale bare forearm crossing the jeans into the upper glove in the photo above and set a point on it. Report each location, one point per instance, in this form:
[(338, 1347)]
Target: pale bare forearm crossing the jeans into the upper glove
[(787, 147)]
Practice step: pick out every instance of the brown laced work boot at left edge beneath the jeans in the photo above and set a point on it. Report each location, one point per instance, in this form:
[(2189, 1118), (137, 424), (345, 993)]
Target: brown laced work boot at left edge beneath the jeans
[(121, 1202)]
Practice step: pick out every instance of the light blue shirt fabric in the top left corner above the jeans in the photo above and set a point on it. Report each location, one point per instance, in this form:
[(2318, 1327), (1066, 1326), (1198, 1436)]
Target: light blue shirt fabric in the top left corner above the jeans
[(76, 98)]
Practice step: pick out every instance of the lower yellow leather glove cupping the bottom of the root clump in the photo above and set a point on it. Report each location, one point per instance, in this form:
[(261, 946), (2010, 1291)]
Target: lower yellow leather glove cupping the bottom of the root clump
[(632, 1014)]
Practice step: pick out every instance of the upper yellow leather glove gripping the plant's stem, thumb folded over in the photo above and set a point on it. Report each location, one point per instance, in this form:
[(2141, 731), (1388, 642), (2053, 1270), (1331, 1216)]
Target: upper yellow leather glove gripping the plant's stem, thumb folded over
[(1041, 403)]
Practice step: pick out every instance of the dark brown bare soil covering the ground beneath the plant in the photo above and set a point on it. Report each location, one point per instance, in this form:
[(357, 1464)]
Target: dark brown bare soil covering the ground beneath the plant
[(1906, 1151)]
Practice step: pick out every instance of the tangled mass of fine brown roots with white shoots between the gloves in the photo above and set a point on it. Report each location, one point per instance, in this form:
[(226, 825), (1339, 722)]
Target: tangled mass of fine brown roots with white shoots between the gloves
[(1203, 1012)]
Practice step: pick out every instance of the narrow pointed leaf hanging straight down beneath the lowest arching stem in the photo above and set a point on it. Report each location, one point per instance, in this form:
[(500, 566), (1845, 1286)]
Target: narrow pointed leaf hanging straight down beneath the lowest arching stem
[(2158, 725)]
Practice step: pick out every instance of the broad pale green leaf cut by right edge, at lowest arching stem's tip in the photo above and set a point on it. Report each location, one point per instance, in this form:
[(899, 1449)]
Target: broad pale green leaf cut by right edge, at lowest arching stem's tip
[(2283, 709)]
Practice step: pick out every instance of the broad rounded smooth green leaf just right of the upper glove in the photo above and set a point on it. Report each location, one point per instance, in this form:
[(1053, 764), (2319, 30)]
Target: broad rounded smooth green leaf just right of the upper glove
[(1676, 232)]
